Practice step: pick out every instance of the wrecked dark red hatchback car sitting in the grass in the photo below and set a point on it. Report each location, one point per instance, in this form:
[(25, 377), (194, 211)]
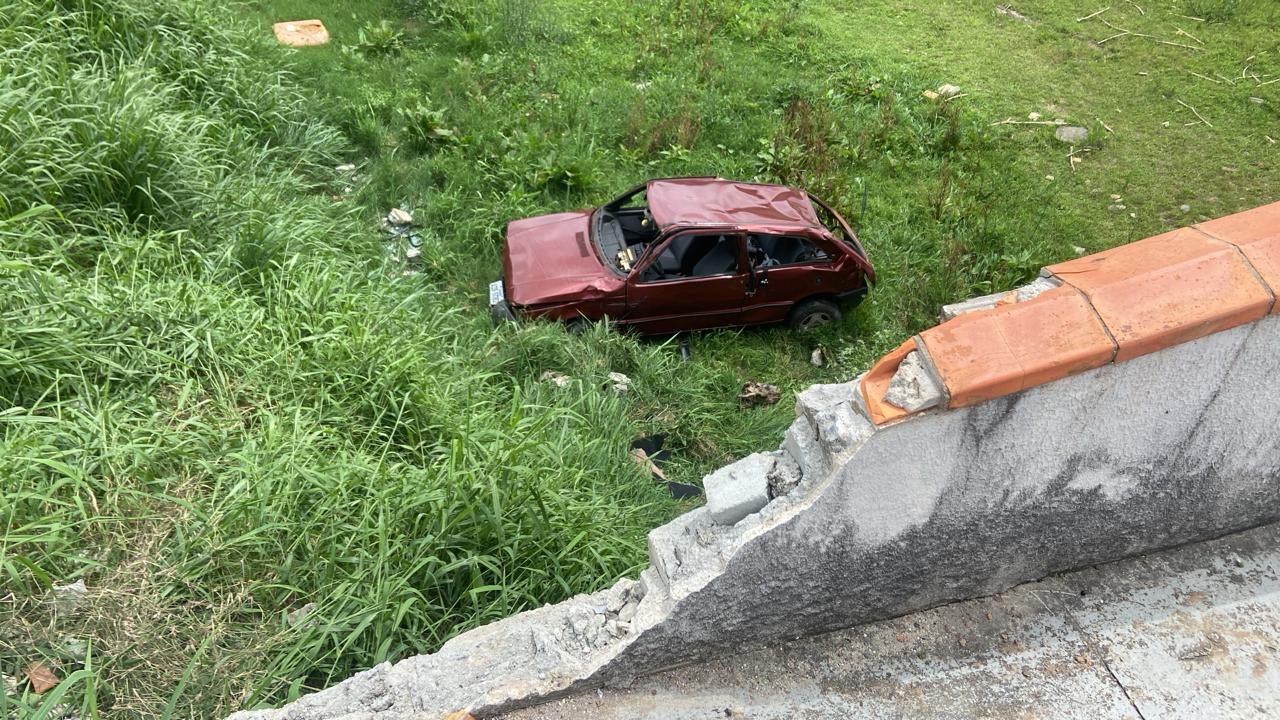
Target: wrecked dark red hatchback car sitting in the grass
[(685, 254)]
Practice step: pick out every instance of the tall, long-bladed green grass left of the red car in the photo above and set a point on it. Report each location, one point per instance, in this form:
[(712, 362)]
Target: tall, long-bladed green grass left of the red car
[(220, 403)]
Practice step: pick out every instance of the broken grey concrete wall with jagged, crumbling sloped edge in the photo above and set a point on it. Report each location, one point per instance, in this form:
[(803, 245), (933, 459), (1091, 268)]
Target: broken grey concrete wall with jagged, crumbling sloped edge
[(854, 521)]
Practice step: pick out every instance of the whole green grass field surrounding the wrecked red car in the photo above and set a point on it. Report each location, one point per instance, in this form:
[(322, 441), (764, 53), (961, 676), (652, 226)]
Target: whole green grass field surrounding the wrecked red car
[(223, 402)]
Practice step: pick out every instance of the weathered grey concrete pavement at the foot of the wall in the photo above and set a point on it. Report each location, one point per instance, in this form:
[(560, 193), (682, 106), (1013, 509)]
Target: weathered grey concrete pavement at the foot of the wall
[(1187, 634)]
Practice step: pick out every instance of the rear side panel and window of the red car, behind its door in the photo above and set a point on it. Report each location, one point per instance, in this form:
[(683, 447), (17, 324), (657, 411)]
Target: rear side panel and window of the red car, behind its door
[(789, 268)]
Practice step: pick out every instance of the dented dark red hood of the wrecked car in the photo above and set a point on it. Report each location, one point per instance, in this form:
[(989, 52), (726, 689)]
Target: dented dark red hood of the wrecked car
[(551, 259)]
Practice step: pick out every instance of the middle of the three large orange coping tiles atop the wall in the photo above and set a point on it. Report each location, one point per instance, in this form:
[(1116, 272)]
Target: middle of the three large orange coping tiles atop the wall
[(1168, 290)]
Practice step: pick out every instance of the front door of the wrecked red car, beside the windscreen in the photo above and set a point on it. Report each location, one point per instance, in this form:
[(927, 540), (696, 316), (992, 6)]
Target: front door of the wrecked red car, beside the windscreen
[(696, 280)]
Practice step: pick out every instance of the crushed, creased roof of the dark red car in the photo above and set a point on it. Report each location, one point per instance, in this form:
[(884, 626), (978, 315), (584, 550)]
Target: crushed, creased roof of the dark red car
[(714, 202)]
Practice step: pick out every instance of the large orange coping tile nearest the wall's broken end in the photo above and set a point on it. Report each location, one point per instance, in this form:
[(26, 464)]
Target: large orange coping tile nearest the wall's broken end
[(1014, 347)]
